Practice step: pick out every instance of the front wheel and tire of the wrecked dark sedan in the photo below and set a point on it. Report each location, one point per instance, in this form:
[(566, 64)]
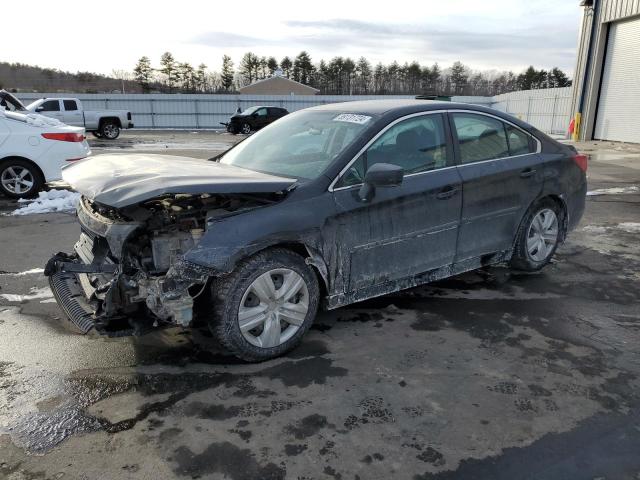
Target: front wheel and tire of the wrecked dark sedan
[(265, 306)]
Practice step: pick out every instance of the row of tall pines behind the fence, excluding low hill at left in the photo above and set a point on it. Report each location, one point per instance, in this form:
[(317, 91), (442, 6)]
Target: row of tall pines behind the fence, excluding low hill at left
[(341, 76)]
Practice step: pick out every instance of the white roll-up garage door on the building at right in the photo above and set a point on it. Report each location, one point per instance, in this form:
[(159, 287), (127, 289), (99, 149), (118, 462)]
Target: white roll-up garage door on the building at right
[(619, 105)]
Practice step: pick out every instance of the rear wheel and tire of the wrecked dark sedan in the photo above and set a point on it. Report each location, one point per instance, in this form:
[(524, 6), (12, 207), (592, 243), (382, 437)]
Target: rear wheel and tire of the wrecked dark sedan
[(538, 236)]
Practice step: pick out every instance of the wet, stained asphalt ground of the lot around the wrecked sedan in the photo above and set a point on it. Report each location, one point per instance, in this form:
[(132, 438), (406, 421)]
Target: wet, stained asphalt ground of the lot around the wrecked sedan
[(486, 375)]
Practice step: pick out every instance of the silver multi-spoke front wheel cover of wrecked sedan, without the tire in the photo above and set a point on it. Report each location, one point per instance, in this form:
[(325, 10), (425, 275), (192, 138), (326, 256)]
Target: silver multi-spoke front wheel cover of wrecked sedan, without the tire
[(273, 308)]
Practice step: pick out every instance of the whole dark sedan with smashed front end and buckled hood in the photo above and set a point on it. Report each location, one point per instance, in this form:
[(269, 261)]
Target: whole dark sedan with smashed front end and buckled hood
[(329, 206)]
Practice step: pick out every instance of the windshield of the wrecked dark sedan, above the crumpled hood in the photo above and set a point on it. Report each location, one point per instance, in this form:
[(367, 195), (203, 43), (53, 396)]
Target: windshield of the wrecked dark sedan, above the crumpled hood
[(301, 145)]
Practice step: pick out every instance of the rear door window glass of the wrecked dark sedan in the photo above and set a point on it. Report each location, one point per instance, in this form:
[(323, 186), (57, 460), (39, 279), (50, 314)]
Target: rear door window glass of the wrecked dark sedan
[(480, 137)]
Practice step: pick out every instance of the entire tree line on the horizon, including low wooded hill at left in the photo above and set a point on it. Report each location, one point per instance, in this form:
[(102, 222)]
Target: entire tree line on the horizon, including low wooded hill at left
[(338, 76)]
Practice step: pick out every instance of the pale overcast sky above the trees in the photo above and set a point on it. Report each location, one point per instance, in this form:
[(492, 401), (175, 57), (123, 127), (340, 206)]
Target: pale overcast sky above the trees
[(85, 35)]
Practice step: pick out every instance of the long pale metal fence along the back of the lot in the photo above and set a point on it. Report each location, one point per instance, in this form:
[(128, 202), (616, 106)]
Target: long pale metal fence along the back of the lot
[(545, 109)]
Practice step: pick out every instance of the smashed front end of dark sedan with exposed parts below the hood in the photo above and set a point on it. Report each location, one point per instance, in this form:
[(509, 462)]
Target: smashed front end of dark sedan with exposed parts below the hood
[(127, 273)]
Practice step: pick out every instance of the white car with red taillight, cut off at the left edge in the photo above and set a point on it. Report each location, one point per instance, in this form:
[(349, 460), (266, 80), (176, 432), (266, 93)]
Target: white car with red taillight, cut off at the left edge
[(34, 148)]
